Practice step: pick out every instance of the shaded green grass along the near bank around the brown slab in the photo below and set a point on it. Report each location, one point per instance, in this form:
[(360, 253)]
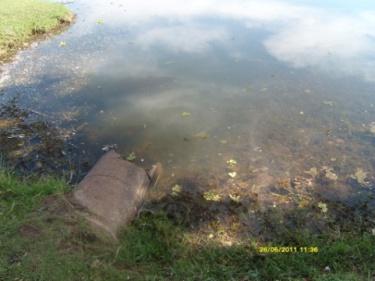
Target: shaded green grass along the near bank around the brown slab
[(41, 240)]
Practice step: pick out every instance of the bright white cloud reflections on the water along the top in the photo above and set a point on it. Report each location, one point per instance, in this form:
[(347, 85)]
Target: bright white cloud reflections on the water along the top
[(300, 35)]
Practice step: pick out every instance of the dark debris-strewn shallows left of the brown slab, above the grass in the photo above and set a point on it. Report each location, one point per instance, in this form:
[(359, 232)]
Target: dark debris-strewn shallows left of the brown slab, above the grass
[(32, 144)]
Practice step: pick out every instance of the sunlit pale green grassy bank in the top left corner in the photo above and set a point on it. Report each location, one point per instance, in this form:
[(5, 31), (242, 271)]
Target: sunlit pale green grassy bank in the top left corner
[(23, 20)]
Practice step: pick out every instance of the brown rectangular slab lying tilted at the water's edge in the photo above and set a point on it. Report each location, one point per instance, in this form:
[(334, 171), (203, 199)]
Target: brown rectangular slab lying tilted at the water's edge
[(111, 193)]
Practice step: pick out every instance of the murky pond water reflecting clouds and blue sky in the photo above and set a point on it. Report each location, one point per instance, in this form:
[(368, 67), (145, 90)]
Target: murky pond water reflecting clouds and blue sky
[(284, 88)]
